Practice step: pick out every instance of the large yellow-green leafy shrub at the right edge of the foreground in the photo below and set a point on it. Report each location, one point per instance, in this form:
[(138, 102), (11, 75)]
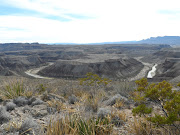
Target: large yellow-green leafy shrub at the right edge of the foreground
[(162, 95)]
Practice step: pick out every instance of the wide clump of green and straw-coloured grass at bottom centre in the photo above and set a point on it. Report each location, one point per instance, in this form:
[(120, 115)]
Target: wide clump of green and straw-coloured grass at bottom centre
[(77, 125)]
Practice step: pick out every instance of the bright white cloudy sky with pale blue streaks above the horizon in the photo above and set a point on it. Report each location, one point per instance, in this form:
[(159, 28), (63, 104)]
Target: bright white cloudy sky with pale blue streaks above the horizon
[(87, 21)]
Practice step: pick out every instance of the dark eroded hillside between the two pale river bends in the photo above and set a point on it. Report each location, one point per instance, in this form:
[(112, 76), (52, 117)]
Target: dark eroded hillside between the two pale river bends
[(114, 68)]
